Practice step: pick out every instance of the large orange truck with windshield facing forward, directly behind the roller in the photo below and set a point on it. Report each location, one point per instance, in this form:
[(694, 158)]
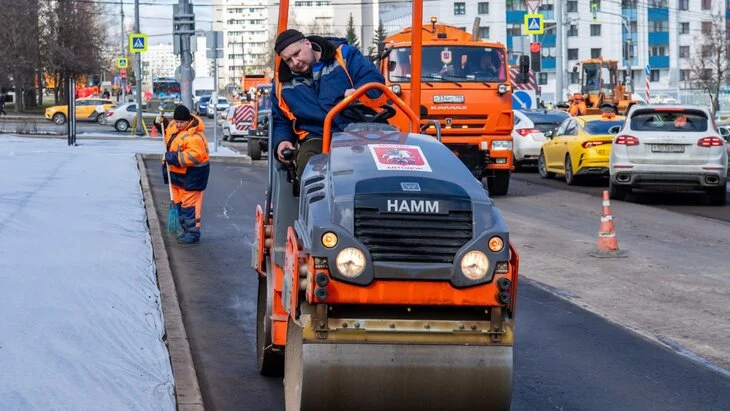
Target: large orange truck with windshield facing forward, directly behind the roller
[(466, 88)]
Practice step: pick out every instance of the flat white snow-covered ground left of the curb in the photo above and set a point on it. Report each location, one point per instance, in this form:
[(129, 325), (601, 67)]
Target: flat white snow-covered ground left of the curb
[(80, 315)]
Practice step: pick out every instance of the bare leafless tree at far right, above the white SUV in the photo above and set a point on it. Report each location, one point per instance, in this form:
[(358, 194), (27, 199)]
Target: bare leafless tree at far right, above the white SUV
[(709, 66)]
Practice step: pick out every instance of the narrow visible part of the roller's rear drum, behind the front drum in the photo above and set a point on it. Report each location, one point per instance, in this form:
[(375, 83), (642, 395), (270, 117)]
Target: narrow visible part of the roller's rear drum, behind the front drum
[(269, 362)]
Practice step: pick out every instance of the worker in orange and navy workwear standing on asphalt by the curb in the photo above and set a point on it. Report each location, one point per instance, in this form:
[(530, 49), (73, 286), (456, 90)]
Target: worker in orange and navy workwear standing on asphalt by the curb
[(187, 158)]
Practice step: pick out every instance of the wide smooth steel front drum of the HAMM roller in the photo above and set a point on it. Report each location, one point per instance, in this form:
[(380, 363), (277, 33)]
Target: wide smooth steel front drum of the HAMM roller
[(383, 365)]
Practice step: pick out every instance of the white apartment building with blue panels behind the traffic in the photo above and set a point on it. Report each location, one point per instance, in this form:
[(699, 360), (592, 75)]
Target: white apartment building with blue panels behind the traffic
[(664, 34)]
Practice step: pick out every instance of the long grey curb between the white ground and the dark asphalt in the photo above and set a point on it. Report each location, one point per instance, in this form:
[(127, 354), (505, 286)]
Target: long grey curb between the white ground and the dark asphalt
[(187, 389)]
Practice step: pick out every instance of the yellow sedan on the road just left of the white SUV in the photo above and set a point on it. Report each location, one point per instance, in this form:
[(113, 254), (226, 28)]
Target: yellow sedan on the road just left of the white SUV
[(581, 146)]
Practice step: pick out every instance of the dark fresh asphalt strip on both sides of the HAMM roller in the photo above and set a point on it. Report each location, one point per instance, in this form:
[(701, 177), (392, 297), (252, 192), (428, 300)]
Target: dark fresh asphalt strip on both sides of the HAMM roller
[(565, 357)]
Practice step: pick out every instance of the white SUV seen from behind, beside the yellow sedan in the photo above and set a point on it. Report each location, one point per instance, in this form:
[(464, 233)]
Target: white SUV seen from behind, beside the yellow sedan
[(669, 148)]
